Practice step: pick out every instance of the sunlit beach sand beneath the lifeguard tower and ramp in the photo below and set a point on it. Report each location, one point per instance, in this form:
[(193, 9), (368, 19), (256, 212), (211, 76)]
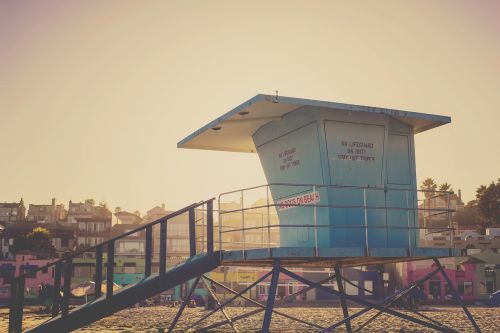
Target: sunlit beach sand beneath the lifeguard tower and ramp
[(154, 319)]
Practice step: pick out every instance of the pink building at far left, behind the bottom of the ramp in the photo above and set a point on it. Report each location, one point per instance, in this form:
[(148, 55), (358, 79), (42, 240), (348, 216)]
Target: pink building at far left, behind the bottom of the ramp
[(24, 262)]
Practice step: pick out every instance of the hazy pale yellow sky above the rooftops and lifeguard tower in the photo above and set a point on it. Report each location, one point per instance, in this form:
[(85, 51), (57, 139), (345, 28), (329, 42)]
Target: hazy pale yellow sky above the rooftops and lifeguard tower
[(94, 95)]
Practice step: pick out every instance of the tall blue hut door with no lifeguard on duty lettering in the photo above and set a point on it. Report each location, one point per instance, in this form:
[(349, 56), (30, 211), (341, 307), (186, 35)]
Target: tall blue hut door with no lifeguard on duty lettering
[(355, 158)]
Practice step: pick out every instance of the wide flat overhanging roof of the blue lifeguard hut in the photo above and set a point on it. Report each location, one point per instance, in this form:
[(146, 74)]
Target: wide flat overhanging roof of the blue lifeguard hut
[(233, 131)]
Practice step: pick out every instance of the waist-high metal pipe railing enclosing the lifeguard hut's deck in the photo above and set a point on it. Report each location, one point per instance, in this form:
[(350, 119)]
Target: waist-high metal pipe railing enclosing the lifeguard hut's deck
[(251, 212)]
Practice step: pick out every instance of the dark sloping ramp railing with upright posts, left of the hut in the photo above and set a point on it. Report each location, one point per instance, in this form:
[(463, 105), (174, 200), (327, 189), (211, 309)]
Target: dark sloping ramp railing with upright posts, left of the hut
[(63, 267)]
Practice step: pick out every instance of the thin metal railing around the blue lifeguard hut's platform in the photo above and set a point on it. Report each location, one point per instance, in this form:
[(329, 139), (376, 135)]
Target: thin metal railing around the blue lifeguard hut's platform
[(412, 209)]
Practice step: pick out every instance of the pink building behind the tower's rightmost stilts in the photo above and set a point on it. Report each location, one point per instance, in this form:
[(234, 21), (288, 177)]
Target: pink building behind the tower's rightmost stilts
[(462, 276)]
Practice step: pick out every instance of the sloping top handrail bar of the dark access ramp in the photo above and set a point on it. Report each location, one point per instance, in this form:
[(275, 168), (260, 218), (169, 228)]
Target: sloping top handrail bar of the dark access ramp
[(144, 226)]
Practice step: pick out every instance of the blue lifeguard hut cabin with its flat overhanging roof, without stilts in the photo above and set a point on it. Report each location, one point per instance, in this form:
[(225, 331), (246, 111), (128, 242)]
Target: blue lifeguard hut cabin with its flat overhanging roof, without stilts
[(342, 177)]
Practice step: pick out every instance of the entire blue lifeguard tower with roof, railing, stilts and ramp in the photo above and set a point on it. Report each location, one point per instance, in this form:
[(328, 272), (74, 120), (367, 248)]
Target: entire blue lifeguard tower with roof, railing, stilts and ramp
[(341, 192)]
